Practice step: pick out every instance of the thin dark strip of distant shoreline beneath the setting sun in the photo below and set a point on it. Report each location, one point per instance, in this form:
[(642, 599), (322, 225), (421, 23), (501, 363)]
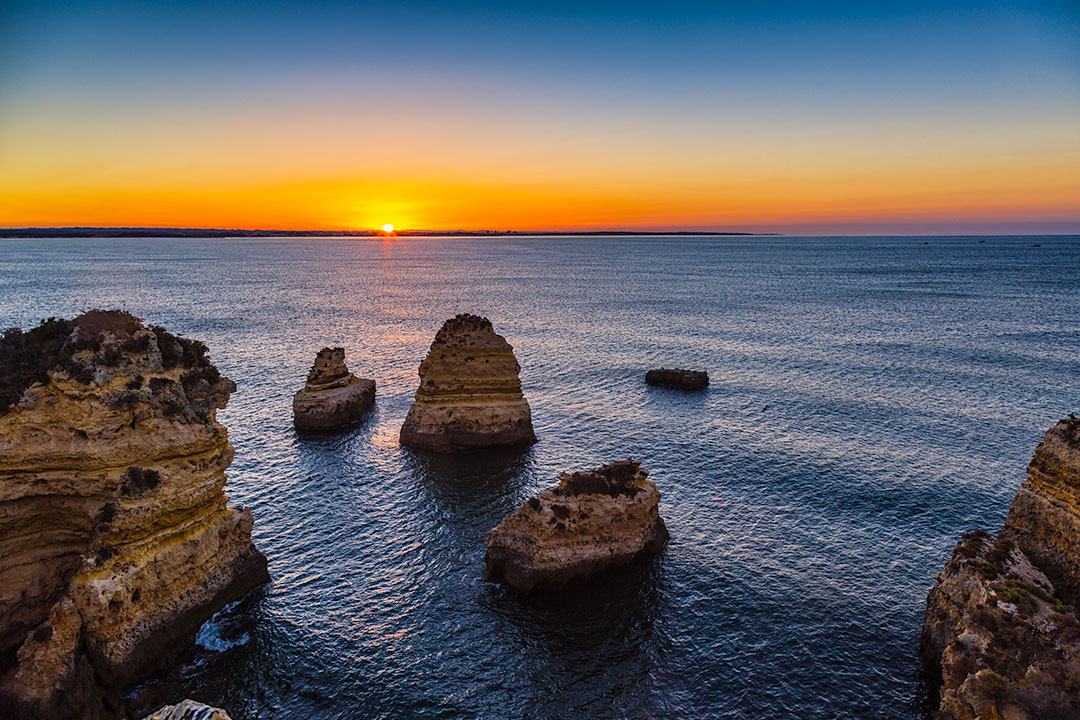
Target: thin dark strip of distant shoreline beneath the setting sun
[(215, 233)]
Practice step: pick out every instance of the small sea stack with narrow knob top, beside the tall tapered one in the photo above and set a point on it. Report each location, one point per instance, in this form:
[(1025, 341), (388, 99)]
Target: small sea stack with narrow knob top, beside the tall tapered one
[(333, 398)]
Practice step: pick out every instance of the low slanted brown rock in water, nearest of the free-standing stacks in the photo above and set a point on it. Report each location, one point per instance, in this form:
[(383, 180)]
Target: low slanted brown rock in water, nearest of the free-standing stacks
[(590, 522)]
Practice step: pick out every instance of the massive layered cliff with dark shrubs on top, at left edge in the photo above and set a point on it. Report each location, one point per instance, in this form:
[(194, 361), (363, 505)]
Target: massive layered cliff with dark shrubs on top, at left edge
[(116, 540)]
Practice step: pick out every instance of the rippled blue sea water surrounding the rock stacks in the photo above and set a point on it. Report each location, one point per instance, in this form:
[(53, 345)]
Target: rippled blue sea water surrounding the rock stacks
[(871, 400)]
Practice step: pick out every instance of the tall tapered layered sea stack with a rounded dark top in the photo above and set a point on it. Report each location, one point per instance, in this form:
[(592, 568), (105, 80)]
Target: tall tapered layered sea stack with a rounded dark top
[(470, 396)]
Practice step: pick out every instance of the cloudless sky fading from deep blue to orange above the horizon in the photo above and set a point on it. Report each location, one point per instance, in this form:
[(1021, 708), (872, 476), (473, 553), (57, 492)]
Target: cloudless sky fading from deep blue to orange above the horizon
[(768, 117)]
